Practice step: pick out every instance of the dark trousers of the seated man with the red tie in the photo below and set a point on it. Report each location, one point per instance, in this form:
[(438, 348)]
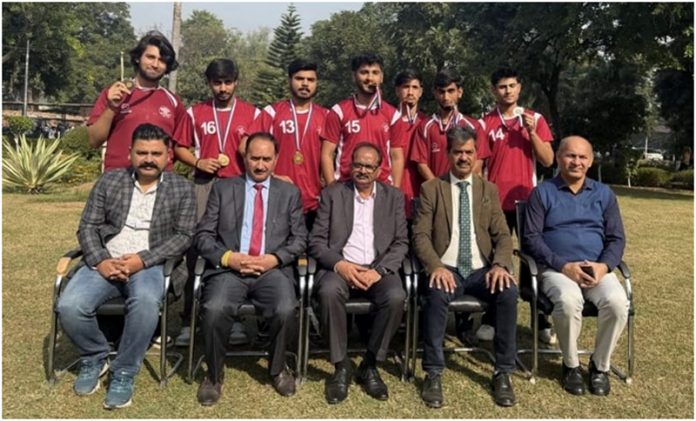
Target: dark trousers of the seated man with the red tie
[(273, 295)]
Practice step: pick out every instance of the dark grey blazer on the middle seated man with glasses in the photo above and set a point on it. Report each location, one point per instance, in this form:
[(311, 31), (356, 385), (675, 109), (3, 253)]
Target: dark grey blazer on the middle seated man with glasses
[(334, 224)]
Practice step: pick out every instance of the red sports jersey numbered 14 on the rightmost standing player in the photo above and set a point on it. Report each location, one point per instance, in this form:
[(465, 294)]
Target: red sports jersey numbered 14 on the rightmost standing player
[(512, 165)]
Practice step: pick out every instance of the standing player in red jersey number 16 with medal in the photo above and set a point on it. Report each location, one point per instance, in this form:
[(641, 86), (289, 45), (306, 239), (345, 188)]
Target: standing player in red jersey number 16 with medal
[(215, 128)]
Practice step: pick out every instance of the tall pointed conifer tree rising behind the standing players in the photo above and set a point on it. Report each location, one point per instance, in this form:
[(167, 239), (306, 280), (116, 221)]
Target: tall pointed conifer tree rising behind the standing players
[(272, 81)]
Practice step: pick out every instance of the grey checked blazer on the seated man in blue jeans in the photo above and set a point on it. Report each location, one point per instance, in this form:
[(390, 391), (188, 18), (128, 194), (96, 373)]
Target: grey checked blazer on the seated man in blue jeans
[(104, 216)]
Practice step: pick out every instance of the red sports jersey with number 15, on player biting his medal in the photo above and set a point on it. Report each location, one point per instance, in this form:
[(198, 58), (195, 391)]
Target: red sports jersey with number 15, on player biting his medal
[(348, 124)]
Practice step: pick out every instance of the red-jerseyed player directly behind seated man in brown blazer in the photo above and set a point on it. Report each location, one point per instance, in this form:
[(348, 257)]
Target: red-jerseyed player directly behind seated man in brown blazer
[(430, 146)]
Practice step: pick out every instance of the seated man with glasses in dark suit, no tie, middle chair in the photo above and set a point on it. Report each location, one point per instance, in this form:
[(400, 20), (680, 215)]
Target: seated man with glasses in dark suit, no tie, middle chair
[(359, 240)]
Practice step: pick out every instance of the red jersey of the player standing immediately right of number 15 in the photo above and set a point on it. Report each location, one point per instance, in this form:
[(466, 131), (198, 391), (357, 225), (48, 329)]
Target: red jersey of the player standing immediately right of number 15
[(410, 182)]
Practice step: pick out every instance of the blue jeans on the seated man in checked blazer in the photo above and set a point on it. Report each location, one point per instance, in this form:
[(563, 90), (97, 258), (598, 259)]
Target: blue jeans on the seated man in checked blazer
[(87, 290)]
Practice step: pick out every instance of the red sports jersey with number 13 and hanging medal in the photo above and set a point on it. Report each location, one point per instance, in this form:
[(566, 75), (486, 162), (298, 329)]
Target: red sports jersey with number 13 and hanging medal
[(278, 120)]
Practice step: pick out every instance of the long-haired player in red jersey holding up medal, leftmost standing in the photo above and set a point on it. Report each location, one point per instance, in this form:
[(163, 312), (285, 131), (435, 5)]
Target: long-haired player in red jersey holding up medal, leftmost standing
[(125, 105)]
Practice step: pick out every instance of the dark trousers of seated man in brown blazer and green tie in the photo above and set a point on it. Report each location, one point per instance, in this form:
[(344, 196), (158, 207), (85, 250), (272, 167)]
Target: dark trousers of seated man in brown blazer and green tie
[(503, 304)]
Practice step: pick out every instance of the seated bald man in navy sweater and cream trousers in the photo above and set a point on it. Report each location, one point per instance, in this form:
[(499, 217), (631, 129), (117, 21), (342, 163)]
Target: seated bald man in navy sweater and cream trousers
[(573, 229)]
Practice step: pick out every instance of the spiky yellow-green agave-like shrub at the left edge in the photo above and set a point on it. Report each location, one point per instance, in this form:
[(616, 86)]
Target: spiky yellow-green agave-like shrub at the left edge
[(33, 166)]
